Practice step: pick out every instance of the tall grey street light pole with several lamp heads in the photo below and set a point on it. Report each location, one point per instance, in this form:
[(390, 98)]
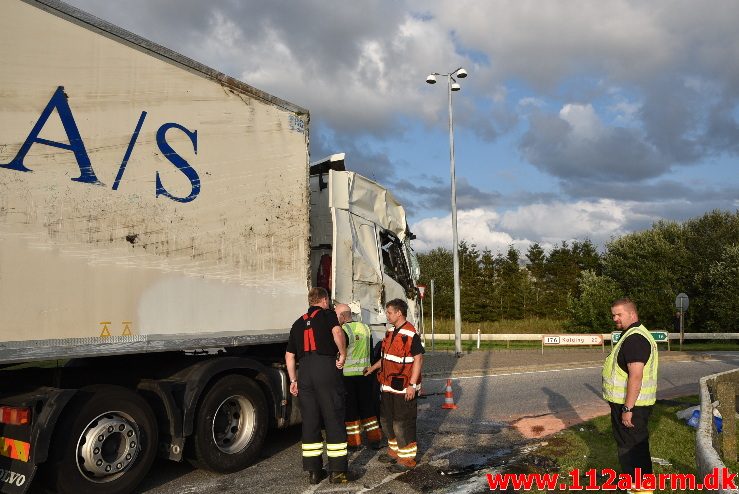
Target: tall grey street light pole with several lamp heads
[(452, 85)]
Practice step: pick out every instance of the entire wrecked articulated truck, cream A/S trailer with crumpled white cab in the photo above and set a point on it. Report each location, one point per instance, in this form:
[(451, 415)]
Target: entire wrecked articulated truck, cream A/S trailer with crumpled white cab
[(160, 226)]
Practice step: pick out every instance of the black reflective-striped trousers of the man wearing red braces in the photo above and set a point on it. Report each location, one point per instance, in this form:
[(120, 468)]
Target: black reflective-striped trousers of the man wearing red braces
[(321, 398)]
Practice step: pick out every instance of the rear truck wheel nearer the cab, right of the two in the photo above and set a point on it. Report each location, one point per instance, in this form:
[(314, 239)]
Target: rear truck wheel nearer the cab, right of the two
[(231, 424)]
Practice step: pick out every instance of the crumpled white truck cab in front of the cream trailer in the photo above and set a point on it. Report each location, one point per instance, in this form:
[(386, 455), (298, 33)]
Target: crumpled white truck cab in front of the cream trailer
[(360, 244)]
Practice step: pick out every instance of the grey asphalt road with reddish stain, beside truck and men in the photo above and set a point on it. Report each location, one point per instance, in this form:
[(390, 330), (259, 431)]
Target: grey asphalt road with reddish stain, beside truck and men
[(498, 416)]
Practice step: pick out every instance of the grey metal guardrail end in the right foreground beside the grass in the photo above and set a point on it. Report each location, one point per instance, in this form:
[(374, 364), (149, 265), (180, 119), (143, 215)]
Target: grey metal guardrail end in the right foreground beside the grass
[(720, 387)]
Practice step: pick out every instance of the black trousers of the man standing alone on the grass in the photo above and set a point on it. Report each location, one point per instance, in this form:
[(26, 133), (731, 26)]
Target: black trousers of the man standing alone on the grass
[(632, 443)]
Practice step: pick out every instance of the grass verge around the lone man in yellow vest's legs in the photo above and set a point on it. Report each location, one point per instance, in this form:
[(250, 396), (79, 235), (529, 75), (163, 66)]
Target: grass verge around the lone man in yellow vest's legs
[(590, 445)]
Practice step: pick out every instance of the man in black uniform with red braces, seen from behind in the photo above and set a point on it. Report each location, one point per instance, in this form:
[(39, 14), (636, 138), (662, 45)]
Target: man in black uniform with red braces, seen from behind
[(316, 339)]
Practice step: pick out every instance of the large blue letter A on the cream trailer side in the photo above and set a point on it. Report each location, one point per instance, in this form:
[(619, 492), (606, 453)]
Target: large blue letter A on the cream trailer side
[(59, 102)]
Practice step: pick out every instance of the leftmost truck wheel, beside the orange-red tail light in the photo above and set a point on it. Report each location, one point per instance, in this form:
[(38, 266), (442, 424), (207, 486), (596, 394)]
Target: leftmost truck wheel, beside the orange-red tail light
[(105, 443)]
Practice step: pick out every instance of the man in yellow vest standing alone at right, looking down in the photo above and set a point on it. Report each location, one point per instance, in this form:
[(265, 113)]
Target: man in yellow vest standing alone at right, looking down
[(630, 387)]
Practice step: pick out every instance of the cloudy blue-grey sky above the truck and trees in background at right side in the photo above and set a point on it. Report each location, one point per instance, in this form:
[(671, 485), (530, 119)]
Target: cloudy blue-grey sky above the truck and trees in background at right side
[(578, 119)]
